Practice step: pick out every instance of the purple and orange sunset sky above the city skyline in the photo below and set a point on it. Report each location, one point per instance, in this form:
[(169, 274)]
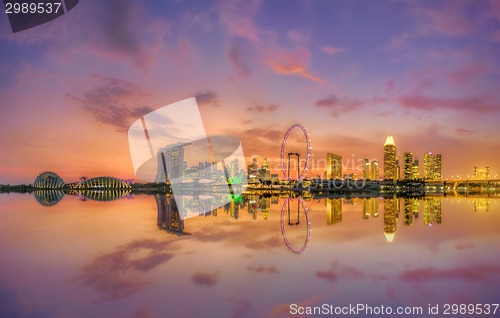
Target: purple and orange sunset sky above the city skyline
[(351, 72)]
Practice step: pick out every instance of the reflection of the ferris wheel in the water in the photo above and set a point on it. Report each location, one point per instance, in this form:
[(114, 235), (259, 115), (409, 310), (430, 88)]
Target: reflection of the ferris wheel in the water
[(286, 213)]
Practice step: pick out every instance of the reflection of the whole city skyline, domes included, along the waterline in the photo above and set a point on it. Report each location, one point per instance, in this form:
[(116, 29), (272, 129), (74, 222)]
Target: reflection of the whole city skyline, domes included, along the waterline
[(172, 212)]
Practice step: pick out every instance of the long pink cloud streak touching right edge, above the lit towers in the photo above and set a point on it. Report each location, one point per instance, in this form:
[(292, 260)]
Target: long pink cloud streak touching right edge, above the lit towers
[(469, 104)]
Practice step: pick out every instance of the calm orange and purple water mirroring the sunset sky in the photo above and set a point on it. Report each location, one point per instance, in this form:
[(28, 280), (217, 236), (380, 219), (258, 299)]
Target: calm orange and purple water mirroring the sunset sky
[(125, 258)]
